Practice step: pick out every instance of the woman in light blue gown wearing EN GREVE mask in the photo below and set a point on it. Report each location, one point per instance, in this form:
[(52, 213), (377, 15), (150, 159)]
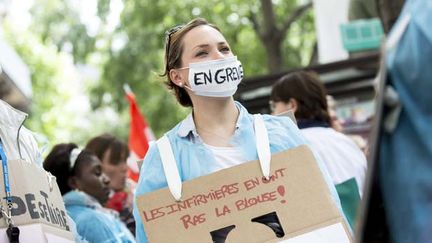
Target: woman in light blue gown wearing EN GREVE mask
[(219, 132)]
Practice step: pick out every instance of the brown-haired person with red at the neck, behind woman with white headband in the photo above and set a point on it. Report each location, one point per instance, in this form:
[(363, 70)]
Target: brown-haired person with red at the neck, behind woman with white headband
[(113, 154)]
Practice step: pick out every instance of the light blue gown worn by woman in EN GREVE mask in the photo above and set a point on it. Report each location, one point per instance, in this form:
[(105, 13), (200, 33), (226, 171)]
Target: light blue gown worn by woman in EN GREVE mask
[(194, 159)]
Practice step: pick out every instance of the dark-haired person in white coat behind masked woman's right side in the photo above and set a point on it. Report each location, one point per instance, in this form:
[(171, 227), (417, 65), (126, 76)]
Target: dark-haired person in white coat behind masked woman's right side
[(303, 93)]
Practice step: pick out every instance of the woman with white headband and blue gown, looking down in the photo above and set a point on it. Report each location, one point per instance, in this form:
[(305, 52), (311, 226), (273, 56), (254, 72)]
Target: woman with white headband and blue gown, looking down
[(85, 188)]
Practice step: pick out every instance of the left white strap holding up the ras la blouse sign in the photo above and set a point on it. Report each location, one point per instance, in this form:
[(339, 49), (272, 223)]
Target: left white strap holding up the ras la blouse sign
[(170, 167)]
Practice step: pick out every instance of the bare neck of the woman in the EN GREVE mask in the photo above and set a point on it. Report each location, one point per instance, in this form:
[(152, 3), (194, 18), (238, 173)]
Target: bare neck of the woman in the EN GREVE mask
[(215, 120)]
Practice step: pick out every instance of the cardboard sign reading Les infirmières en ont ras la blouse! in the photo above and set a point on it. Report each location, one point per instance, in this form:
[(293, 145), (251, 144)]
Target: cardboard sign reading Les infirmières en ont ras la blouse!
[(232, 199)]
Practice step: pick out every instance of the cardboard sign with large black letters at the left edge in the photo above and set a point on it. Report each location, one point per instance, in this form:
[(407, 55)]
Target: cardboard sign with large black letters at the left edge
[(36, 198)]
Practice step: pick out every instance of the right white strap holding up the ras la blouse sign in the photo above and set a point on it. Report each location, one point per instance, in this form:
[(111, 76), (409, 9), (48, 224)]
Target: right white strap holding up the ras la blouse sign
[(263, 145)]
